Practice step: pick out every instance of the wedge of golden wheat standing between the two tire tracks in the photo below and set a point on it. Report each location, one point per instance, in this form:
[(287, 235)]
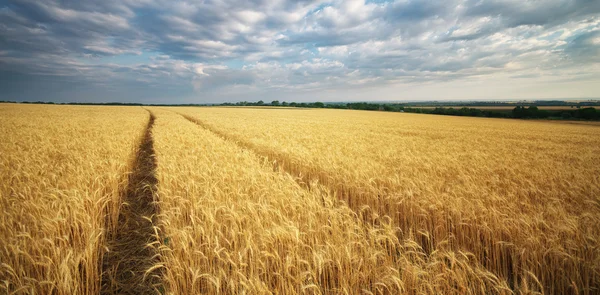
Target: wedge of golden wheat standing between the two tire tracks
[(232, 225)]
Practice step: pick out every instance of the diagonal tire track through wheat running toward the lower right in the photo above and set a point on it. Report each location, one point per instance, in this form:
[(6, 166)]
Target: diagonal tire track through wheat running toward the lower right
[(501, 259)]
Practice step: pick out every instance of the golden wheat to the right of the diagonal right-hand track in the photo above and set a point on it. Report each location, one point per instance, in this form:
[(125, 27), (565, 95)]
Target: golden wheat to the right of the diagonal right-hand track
[(522, 197)]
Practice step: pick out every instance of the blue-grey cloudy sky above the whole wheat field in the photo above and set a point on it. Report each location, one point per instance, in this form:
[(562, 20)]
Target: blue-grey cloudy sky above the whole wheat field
[(165, 51)]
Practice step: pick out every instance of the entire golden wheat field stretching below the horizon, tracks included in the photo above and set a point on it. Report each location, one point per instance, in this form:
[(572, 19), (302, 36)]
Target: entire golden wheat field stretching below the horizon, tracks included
[(294, 201)]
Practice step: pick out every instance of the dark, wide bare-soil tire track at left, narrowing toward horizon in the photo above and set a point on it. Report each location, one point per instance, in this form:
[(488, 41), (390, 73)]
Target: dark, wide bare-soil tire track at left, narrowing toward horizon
[(128, 265)]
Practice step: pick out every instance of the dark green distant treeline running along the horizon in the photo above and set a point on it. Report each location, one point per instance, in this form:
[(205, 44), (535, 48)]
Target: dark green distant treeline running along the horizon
[(525, 110)]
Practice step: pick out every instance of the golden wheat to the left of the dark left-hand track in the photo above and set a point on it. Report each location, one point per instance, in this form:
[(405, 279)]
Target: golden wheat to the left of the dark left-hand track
[(61, 171)]
